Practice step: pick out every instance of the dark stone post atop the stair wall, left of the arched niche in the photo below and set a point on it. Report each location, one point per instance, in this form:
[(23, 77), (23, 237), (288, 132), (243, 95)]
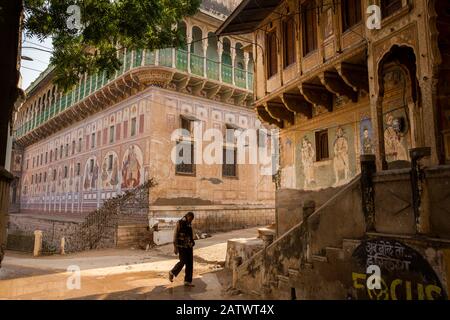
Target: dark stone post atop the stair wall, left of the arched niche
[(368, 168)]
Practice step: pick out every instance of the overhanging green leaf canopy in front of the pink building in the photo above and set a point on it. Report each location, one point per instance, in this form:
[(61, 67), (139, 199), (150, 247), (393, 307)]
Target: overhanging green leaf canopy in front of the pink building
[(102, 28)]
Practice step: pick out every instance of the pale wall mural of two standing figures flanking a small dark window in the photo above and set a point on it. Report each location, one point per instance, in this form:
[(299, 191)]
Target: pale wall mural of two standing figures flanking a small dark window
[(335, 170)]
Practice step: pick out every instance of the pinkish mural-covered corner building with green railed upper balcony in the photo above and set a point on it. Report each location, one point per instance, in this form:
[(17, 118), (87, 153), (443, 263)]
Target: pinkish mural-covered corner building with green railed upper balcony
[(109, 135)]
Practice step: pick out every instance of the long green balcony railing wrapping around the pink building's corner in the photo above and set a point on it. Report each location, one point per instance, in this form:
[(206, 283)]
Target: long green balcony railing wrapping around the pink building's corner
[(171, 58)]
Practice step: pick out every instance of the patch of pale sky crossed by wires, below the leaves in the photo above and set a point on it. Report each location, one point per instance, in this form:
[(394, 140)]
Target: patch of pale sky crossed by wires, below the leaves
[(30, 70)]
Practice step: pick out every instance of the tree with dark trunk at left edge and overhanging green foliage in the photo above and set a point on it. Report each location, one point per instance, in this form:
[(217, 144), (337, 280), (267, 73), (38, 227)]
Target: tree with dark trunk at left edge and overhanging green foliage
[(87, 35)]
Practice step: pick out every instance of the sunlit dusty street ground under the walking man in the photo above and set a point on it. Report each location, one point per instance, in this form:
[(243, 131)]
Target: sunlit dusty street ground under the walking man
[(121, 273)]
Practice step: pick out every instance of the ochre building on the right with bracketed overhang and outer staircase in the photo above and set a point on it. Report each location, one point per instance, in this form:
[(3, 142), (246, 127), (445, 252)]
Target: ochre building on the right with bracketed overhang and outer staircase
[(340, 88)]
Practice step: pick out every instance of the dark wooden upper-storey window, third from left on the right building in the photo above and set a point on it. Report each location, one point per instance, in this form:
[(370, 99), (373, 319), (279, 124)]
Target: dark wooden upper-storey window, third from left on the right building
[(309, 27)]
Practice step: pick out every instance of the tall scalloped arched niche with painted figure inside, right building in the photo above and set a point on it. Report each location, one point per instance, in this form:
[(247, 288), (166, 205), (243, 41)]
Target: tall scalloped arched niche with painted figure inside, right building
[(399, 99)]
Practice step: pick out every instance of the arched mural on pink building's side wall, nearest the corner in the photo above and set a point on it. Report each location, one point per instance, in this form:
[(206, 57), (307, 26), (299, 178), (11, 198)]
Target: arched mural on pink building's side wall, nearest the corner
[(132, 169)]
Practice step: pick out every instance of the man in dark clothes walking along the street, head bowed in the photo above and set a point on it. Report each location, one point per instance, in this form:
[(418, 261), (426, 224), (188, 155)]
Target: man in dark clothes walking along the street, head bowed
[(183, 242)]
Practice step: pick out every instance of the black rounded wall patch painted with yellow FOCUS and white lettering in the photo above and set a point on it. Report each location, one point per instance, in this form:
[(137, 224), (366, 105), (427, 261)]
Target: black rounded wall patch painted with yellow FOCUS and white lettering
[(405, 274)]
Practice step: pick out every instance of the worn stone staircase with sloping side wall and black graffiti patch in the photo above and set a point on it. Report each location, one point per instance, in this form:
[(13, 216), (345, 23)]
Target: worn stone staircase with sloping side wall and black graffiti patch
[(316, 259)]
